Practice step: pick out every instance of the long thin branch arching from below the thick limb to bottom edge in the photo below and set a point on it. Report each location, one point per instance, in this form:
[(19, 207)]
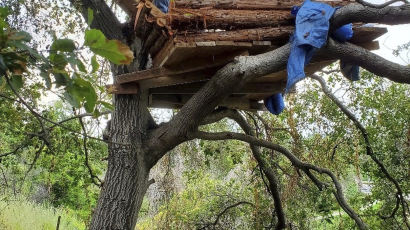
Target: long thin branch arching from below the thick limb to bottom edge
[(292, 158)]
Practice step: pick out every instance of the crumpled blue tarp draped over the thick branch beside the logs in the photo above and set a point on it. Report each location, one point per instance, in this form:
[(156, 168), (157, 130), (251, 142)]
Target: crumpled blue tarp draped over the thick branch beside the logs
[(312, 27)]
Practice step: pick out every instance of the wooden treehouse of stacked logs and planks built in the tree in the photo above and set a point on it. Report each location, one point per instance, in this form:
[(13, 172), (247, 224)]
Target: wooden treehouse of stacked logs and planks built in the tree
[(198, 37)]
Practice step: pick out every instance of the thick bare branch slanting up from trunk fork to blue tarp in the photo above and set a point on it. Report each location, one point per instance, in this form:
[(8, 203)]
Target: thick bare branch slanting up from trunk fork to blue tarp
[(232, 76)]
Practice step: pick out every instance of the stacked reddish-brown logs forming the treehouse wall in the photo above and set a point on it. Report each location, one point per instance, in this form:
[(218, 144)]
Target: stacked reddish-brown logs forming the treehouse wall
[(216, 20)]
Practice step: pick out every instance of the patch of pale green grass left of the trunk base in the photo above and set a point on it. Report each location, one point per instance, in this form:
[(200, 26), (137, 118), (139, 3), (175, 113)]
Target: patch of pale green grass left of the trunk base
[(21, 214)]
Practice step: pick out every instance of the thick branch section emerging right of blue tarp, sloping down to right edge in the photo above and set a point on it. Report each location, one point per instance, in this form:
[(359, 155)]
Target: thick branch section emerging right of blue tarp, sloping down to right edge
[(368, 60)]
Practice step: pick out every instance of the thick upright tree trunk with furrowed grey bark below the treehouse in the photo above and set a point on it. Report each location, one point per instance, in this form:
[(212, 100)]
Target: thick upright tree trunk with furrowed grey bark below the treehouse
[(126, 179)]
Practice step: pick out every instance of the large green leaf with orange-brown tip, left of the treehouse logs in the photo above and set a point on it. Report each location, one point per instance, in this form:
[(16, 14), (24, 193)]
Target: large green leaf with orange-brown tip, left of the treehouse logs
[(113, 50)]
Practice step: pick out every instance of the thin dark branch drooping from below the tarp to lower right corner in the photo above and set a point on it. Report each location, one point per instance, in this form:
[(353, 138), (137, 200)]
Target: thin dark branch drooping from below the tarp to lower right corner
[(369, 149)]
